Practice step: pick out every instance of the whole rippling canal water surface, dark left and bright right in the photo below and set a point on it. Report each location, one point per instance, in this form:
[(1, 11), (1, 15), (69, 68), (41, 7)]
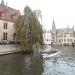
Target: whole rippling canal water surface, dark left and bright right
[(21, 64)]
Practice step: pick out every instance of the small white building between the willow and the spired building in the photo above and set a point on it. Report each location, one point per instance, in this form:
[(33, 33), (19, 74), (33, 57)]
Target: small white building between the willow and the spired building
[(47, 37)]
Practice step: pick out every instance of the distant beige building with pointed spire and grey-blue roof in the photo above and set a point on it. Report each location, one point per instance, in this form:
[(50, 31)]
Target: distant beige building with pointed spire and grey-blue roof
[(63, 36)]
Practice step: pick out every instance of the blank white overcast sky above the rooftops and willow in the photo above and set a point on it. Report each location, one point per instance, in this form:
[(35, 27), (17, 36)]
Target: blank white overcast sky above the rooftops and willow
[(62, 11)]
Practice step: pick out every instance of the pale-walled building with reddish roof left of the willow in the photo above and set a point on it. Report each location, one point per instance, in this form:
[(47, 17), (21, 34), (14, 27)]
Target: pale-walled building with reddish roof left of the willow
[(8, 17)]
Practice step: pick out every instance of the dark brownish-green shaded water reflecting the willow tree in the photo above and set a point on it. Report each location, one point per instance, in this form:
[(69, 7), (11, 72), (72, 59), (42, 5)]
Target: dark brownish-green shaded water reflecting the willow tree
[(18, 64)]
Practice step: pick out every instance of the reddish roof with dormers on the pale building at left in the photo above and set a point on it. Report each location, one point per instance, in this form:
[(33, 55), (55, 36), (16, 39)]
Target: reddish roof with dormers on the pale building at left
[(8, 12)]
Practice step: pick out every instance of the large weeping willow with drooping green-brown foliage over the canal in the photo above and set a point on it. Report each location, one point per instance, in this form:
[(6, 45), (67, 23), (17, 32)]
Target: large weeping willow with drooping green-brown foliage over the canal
[(28, 31)]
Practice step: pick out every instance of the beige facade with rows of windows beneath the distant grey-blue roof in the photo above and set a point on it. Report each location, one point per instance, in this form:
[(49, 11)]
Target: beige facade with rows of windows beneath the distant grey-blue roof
[(64, 38)]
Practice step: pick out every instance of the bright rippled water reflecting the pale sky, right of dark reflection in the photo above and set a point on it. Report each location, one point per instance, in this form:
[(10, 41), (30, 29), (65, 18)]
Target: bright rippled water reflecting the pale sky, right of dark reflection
[(64, 64)]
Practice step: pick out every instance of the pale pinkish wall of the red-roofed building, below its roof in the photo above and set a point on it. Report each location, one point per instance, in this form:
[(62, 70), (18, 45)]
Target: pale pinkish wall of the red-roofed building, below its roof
[(10, 30)]
